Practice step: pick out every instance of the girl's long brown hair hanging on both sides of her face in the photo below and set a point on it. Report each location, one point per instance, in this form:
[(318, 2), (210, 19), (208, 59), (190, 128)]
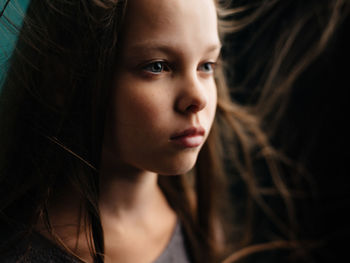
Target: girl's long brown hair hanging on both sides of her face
[(52, 112)]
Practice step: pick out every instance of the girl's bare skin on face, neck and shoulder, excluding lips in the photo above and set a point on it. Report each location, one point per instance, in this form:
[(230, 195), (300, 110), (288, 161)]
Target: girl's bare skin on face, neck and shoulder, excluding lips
[(163, 84)]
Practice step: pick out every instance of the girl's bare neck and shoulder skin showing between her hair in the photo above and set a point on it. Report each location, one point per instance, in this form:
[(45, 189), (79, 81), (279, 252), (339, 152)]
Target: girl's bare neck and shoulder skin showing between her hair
[(131, 206)]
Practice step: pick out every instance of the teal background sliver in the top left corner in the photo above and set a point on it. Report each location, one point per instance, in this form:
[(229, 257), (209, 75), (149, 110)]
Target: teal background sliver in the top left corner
[(14, 12)]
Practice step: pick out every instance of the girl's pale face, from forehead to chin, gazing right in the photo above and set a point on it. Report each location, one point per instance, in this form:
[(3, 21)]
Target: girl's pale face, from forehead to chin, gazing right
[(164, 96)]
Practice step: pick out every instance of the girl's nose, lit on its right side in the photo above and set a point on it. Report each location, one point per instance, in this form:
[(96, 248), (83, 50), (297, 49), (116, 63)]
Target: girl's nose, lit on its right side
[(192, 97)]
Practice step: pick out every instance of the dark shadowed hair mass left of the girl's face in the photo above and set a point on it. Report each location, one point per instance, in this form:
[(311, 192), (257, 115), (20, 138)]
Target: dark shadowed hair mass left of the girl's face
[(52, 109)]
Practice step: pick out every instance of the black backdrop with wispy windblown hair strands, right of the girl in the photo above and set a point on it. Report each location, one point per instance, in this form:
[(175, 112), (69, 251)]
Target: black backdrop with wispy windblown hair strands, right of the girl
[(287, 60)]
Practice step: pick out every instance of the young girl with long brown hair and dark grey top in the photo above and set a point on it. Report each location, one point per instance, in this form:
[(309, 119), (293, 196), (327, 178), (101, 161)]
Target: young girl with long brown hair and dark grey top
[(111, 113)]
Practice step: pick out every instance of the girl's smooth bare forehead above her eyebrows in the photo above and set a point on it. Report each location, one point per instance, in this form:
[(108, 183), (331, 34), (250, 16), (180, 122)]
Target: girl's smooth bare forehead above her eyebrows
[(174, 21)]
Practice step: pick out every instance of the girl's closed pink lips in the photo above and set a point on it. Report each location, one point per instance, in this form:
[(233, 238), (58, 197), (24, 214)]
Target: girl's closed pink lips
[(190, 138)]
